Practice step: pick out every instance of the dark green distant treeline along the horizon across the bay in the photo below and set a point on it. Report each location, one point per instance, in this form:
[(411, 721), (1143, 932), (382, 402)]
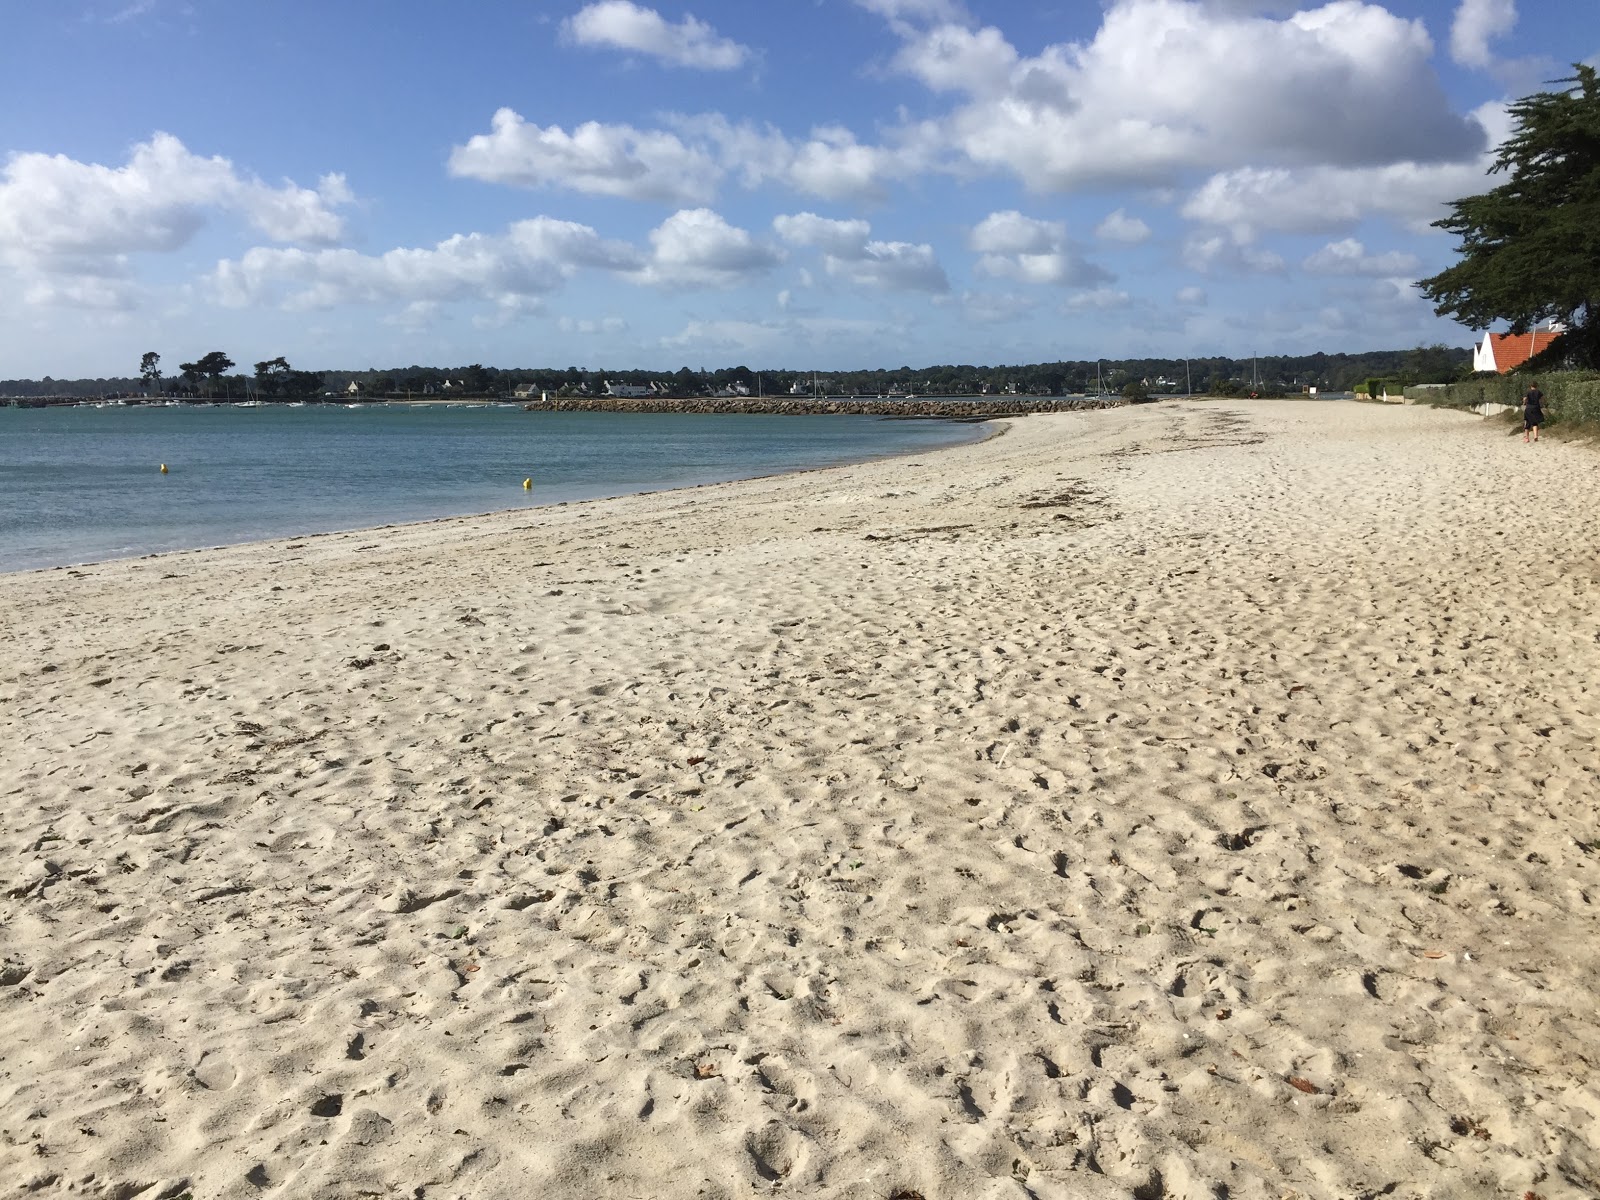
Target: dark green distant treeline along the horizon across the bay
[(1270, 374)]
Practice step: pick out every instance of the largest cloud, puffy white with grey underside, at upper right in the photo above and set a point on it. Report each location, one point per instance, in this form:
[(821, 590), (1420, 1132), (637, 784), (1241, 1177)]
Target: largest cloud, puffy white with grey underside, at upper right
[(1351, 86)]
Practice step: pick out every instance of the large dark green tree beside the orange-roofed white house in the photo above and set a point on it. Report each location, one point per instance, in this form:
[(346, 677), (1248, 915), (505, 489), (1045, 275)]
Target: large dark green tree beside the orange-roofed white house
[(1530, 249)]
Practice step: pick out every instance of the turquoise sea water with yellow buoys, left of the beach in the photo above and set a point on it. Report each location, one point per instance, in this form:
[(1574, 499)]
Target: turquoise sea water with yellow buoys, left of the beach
[(84, 484)]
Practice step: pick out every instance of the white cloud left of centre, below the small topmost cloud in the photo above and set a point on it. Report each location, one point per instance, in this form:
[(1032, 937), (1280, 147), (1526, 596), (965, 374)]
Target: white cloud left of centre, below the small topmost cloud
[(594, 159)]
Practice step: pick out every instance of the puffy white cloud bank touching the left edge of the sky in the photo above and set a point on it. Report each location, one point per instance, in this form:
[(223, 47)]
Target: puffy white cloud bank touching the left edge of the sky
[(68, 228)]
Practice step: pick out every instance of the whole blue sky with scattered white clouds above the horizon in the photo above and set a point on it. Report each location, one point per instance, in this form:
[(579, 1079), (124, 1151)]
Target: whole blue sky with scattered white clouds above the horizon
[(802, 185)]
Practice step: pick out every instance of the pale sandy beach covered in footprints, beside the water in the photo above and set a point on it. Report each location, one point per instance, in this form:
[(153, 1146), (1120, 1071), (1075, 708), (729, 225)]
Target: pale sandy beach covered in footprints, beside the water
[(1188, 801)]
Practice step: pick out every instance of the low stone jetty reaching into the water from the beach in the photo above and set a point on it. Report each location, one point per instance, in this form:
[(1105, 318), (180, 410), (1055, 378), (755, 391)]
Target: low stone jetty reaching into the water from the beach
[(948, 410)]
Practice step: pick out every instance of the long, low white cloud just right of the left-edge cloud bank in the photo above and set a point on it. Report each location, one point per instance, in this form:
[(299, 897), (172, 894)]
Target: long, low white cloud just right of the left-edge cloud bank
[(532, 258)]
